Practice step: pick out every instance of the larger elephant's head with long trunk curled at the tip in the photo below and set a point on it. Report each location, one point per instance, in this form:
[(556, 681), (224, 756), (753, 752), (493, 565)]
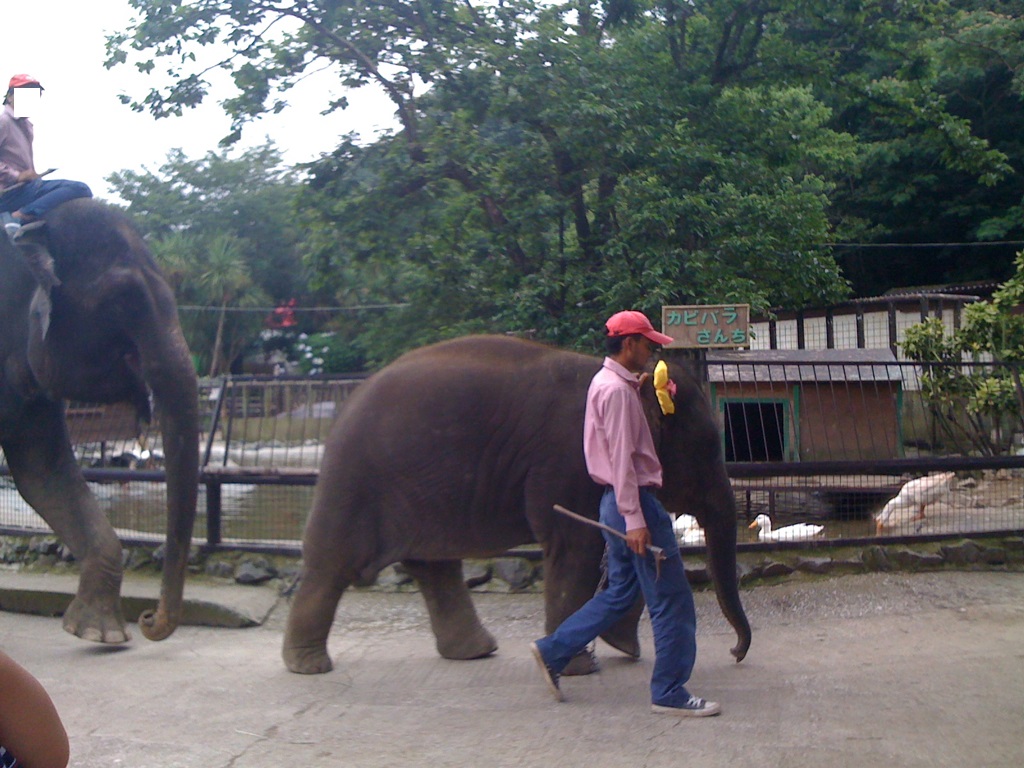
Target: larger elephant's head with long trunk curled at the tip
[(102, 327)]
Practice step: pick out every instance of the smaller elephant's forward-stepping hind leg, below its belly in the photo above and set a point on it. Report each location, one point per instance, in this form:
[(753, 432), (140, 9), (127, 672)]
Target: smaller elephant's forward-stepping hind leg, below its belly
[(453, 618)]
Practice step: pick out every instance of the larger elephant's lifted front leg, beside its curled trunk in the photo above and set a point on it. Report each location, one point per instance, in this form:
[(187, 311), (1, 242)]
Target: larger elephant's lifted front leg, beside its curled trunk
[(44, 467)]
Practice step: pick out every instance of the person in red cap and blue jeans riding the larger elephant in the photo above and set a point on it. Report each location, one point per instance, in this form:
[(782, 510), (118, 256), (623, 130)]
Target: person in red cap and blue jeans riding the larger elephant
[(24, 193)]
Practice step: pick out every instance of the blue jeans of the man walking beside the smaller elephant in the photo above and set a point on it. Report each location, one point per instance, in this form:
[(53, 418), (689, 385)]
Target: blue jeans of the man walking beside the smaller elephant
[(670, 604)]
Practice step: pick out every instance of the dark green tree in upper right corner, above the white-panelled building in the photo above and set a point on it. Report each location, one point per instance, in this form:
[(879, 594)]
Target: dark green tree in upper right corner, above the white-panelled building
[(950, 170)]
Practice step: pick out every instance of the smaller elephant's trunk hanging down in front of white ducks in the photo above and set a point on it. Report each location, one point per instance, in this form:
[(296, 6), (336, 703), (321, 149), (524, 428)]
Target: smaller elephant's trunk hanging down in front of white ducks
[(720, 532)]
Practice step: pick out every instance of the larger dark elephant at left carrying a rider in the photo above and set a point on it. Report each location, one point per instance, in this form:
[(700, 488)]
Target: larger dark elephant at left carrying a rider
[(89, 317)]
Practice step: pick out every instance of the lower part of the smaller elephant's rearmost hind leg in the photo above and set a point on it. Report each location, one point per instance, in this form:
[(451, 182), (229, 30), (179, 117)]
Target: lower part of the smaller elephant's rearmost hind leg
[(310, 621)]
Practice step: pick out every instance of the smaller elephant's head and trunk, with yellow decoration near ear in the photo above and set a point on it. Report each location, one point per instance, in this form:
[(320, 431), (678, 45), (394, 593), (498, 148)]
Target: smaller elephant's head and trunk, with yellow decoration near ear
[(697, 483)]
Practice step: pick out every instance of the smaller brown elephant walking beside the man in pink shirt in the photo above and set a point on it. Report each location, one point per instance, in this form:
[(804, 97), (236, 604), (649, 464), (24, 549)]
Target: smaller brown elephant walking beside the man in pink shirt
[(460, 450)]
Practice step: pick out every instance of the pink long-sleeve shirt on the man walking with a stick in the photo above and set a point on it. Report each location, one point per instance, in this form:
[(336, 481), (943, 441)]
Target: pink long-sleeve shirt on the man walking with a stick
[(617, 440)]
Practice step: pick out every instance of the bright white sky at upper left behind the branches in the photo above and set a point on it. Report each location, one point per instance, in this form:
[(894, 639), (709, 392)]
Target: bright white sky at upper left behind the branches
[(87, 134)]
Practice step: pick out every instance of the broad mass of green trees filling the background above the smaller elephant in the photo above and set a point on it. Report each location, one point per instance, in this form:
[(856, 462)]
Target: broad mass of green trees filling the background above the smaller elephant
[(560, 161)]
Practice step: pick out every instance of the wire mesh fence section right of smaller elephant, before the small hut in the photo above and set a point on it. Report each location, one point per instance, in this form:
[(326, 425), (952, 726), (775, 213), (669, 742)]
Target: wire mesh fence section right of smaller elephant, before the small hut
[(865, 446)]
